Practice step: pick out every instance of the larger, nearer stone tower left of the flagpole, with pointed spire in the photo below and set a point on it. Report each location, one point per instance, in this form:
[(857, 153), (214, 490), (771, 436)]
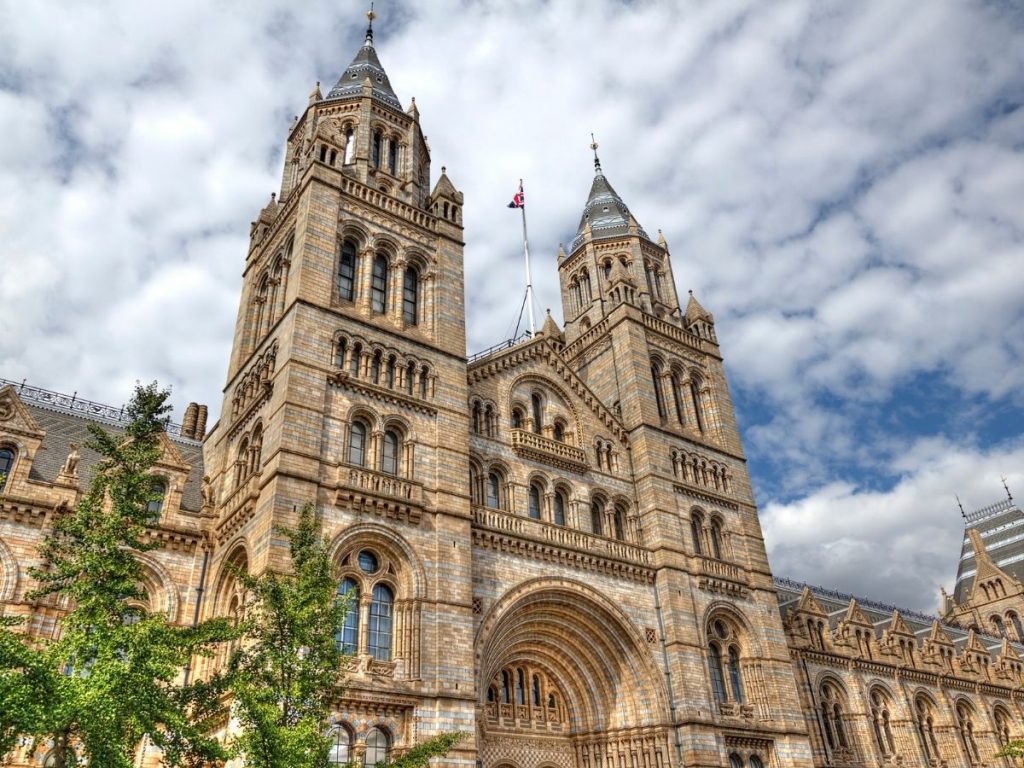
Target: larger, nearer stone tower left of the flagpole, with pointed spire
[(348, 388)]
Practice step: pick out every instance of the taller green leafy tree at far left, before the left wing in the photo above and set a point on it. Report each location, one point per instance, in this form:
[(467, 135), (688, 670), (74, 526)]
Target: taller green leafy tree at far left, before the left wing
[(113, 676)]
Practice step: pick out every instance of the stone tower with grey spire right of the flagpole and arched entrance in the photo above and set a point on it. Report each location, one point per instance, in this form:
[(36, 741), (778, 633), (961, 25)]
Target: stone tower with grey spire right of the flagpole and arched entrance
[(660, 368)]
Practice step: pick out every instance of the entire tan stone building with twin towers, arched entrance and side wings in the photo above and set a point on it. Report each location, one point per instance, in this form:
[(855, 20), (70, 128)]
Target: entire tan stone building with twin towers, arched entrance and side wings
[(553, 546)]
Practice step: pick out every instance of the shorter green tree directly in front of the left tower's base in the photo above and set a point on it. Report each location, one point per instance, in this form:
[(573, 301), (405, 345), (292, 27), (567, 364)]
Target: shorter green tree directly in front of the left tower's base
[(287, 672)]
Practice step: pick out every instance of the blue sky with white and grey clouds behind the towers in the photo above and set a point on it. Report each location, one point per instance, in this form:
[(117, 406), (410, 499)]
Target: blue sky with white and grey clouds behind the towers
[(841, 185)]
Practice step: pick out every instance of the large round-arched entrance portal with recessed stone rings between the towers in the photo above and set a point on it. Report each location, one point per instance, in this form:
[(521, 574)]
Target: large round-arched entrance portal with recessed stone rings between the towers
[(567, 681)]
